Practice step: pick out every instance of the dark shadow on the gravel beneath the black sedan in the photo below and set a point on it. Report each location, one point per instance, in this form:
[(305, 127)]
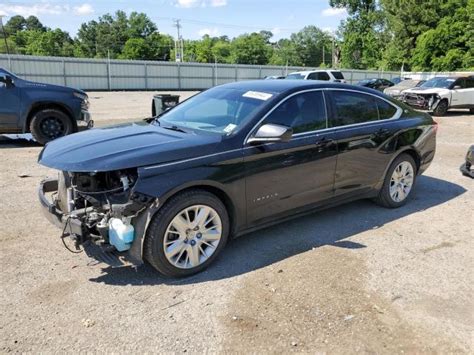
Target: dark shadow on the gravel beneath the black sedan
[(267, 246)]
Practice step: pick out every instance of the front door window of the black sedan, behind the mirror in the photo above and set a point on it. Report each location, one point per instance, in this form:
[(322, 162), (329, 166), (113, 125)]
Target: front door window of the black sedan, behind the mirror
[(303, 112)]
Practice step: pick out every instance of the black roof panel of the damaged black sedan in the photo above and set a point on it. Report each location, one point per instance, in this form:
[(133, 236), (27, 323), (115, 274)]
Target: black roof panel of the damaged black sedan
[(288, 86)]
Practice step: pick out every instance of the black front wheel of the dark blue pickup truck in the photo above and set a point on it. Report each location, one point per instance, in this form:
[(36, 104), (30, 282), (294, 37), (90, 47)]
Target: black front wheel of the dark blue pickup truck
[(50, 124)]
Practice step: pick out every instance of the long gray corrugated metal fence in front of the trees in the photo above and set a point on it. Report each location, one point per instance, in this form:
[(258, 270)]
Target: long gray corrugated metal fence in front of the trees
[(103, 74)]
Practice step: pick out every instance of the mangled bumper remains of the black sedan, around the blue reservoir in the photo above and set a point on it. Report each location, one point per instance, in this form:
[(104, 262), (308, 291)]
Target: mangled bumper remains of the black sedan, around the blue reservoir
[(96, 245)]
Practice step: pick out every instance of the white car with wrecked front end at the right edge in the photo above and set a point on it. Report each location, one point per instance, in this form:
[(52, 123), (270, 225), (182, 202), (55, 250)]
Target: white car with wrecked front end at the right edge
[(440, 94)]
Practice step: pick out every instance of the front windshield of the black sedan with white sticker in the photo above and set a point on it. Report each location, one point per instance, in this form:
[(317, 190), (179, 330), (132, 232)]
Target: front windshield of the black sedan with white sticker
[(218, 110)]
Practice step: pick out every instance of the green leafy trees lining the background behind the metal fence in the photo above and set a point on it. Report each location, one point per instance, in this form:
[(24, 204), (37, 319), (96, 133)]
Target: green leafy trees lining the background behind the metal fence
[(378, 34)]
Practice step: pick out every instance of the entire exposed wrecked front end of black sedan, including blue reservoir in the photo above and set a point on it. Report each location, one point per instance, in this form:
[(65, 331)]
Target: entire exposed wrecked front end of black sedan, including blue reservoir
[(100, 212)]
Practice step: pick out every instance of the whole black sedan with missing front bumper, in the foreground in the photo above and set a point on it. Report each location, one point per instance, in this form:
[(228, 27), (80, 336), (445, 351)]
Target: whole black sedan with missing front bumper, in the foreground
[(232, 159)]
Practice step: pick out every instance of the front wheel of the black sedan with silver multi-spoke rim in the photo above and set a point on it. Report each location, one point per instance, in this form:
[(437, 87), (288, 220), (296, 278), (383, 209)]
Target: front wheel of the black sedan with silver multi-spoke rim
[(187, 233)]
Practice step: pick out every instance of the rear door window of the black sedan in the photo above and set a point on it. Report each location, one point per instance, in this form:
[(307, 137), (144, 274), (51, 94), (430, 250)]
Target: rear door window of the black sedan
[(352, 108)]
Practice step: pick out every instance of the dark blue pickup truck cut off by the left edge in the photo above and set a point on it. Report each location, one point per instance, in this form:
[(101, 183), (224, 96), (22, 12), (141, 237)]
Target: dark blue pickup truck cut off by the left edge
[(47, 111)]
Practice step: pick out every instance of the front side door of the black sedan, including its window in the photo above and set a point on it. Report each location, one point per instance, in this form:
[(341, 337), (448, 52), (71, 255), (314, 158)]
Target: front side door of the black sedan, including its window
[(287, 176)]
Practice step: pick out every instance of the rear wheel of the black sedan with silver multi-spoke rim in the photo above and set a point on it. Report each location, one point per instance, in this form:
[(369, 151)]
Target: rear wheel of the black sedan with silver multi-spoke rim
[(399, 182)]
